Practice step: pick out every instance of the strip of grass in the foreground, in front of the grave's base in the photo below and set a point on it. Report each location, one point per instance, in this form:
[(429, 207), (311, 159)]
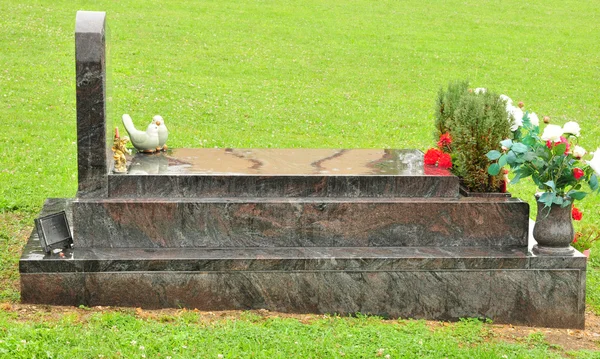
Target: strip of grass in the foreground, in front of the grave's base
[(115, 334)]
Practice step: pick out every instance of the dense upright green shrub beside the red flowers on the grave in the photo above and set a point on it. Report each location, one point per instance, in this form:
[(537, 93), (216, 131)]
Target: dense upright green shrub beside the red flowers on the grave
[(478, 124)]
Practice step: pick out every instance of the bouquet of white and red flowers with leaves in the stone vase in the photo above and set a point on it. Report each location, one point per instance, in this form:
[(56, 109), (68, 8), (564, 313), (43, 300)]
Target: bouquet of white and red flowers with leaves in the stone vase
[(553, 159)]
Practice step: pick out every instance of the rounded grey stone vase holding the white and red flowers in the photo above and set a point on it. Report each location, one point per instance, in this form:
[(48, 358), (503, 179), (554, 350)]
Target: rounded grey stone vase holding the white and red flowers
[(553, 230)]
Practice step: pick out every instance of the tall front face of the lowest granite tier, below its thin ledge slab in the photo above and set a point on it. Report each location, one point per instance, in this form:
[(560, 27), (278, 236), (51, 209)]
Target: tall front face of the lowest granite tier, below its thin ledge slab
[(529, 297)]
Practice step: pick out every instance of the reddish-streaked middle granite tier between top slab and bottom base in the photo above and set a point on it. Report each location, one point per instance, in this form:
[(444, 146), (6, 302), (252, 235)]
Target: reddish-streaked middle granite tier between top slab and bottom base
[(299, 222)]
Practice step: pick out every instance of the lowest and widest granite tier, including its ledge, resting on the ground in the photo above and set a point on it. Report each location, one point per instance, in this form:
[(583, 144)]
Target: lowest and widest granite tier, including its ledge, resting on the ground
[(507, 285)]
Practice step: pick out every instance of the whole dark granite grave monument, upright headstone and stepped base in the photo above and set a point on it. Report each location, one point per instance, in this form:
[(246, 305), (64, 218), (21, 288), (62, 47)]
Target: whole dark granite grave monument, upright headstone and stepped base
[(307, 230)]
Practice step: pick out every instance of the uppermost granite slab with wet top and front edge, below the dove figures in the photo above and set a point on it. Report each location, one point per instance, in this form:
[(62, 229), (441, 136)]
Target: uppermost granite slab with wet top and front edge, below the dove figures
[(205, 172)]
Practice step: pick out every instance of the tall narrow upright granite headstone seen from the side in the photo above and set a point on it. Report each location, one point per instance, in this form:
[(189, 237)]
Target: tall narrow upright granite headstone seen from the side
[(94, 157)]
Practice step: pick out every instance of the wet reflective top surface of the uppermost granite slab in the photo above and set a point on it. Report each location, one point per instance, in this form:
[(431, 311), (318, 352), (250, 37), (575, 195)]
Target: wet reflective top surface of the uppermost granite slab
[(298, 162)]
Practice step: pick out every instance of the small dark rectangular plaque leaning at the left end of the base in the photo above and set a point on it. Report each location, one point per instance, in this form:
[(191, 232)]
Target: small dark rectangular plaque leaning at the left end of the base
[(54, 232)]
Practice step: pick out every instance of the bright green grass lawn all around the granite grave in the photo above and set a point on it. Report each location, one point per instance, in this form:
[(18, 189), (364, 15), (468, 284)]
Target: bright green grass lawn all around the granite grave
[(352, 73)]
